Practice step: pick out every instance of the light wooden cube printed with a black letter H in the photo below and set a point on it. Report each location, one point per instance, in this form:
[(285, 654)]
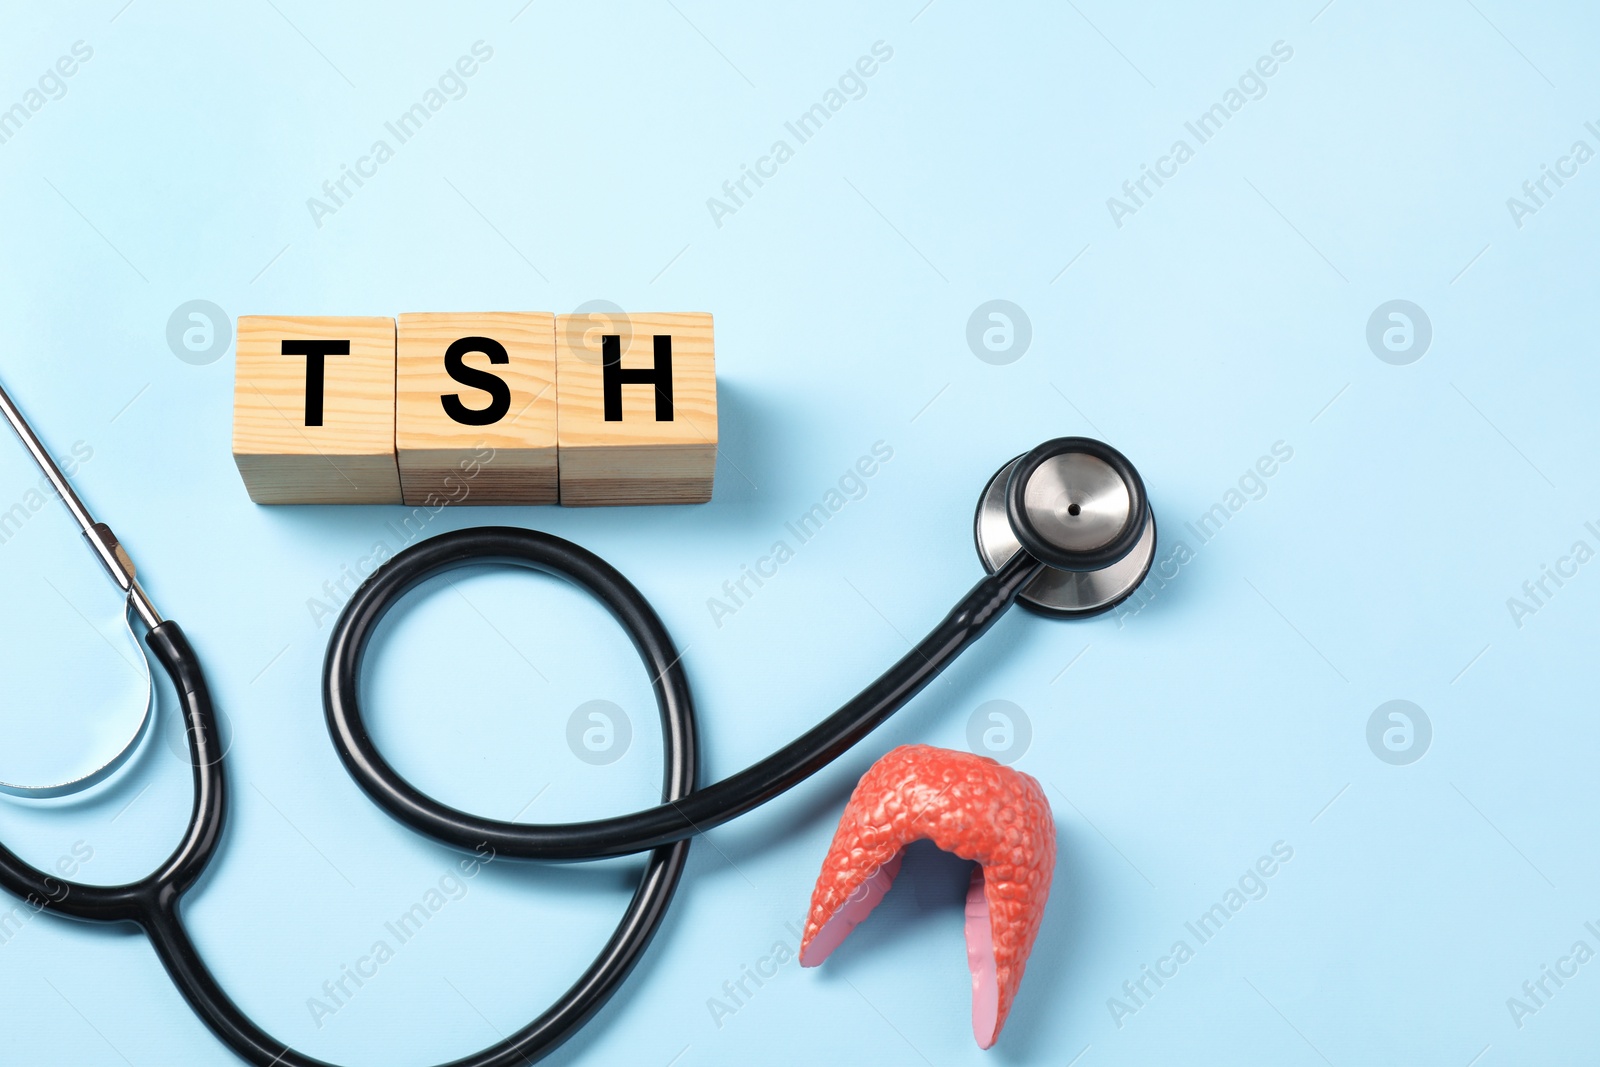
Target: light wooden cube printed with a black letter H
[(638, 410)]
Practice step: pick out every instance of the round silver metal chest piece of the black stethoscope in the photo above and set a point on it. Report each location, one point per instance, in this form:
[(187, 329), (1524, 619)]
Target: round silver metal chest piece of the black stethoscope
[(1078, 506)]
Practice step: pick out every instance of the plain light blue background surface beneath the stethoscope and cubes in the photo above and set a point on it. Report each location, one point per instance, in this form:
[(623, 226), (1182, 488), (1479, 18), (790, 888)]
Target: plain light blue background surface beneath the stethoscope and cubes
[(1228, 314)]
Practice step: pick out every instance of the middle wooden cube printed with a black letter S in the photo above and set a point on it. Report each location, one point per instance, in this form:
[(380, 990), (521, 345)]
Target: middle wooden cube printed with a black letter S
[(476, 409)]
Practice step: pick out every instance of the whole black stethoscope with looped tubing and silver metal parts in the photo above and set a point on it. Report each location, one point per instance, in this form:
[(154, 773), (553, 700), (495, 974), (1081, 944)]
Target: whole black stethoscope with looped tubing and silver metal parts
[(1065, 530)]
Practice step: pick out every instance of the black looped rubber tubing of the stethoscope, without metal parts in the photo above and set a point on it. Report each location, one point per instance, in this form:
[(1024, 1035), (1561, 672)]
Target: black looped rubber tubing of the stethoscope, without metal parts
[(153, 903)]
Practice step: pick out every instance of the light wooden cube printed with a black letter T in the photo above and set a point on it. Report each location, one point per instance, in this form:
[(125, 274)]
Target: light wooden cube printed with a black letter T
[(314, 410)]
